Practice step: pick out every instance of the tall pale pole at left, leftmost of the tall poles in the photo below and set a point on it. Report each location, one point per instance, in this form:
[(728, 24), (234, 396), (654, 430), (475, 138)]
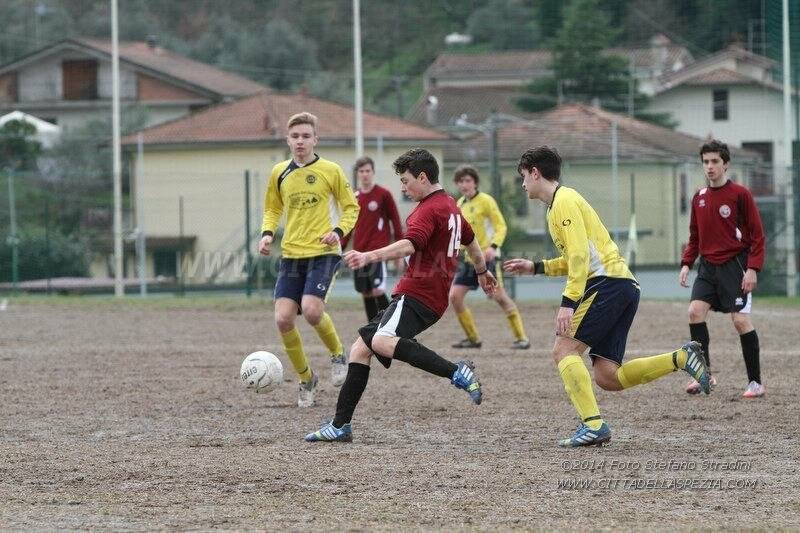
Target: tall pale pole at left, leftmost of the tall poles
[(119, 289)]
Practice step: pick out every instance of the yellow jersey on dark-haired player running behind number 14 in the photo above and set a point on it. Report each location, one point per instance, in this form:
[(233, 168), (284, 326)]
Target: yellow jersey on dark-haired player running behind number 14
[(587, 250)]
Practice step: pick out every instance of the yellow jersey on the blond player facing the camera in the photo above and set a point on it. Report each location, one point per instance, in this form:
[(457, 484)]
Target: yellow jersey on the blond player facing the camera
[(317, 199)]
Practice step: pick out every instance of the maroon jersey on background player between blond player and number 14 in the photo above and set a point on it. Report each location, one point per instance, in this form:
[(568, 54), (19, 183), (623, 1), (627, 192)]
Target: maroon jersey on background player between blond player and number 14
[(371, 231)]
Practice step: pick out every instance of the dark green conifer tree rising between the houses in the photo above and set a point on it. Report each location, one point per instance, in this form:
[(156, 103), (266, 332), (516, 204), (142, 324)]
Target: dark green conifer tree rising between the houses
[(582, 69)]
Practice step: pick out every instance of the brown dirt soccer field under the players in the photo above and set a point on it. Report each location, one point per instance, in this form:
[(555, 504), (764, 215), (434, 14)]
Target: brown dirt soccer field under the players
[(131, 416)]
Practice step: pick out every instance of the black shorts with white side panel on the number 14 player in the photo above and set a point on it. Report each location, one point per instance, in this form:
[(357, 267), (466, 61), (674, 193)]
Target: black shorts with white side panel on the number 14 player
[(405, 317)]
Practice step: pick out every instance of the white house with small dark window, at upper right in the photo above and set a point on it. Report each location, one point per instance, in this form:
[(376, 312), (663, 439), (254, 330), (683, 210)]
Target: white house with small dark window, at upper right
[(733, 95)]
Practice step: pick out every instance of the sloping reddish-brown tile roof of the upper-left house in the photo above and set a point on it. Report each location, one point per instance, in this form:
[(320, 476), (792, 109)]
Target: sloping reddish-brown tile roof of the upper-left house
[(177, 66)]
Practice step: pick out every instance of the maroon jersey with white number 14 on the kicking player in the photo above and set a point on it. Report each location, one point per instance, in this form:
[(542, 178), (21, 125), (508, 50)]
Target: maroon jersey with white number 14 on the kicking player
[(437, 230)]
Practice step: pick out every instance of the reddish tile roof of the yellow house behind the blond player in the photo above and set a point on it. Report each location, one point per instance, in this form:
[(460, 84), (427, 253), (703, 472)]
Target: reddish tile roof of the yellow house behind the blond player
[(263, 117)]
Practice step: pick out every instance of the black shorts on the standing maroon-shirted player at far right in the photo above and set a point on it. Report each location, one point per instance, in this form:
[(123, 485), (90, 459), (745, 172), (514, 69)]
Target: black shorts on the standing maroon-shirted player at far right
[(721, 285)]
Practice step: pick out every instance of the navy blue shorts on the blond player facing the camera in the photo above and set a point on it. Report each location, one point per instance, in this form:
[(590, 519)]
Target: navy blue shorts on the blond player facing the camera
[(314, 275)]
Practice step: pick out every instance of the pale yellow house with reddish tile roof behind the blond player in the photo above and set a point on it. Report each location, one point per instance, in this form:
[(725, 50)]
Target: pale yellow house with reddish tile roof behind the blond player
[(190, 181)]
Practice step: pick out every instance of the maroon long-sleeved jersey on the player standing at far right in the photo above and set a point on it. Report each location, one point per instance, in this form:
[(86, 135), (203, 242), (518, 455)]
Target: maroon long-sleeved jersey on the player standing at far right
[(724, 223)]
